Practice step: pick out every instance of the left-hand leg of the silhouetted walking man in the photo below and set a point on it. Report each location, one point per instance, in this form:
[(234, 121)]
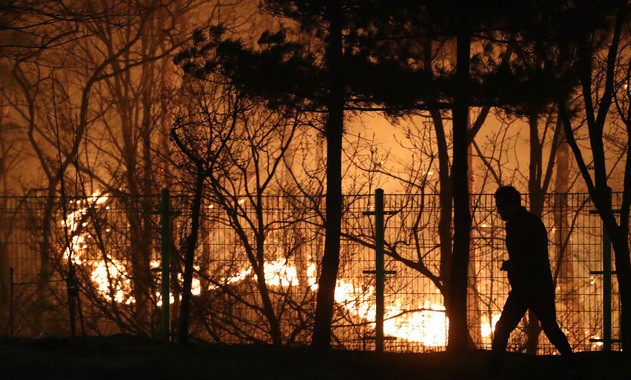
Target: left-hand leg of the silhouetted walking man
[(513, 311)]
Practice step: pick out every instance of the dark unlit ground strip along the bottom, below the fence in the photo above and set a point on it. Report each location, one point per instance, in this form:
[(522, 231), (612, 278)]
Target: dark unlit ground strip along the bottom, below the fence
[(128, 358)]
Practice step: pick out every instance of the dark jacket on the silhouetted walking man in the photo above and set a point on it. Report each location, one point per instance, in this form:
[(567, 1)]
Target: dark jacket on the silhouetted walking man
[(527, 245)]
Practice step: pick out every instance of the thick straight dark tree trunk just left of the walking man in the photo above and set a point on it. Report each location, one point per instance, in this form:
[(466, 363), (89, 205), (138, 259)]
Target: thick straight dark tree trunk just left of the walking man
[(458, 332)]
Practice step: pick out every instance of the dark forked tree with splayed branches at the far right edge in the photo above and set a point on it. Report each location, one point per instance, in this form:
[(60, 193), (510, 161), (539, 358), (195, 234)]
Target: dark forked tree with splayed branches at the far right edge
[(601, 85)]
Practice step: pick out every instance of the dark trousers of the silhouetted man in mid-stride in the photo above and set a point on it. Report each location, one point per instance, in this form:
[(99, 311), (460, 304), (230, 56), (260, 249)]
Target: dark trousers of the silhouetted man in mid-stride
[(516, 305)]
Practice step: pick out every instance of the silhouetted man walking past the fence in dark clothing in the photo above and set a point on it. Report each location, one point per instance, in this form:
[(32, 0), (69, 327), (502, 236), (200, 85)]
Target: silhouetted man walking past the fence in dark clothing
[(529, 275)]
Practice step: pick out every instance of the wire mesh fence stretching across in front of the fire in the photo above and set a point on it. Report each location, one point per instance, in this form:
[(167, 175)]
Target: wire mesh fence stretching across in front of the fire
[(96, 260)]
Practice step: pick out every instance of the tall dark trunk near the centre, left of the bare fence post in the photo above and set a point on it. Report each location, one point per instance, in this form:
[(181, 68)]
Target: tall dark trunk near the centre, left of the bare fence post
[(333, 224)]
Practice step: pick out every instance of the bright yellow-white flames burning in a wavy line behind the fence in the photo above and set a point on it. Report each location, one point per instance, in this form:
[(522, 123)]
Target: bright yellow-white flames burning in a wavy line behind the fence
[(426, 324)]
